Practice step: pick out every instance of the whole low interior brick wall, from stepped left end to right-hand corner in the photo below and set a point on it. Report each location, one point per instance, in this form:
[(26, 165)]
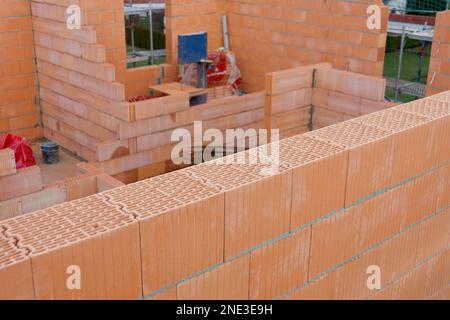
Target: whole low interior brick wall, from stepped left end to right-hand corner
[(285, 104)]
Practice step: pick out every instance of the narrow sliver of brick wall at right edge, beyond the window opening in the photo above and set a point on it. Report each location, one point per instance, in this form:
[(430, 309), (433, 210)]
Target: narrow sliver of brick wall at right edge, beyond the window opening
[(439, 72)]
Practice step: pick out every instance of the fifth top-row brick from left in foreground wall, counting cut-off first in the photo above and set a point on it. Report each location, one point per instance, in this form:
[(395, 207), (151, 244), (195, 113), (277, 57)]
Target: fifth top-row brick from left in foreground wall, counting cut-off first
[(319, 172)]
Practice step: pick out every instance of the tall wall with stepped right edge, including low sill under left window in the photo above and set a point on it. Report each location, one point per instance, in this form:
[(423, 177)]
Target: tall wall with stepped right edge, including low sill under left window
[(84, 82)]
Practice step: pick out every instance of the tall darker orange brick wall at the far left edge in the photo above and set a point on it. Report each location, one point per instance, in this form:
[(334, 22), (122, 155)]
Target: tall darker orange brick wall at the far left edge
[(18, 111)]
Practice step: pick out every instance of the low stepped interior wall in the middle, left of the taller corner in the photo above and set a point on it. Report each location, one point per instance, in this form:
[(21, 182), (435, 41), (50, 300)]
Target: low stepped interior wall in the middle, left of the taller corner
[(155, 120)]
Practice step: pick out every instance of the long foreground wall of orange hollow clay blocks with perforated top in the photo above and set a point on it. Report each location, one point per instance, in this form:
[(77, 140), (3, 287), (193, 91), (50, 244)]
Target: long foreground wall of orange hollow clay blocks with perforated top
[(373, 190)]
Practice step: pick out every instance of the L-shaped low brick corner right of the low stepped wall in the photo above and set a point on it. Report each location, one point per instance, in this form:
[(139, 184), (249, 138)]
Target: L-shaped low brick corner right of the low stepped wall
[(315, 96)]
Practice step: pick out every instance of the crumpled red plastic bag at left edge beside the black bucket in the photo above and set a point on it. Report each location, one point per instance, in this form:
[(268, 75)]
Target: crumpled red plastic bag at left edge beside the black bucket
[(22, 150)]
